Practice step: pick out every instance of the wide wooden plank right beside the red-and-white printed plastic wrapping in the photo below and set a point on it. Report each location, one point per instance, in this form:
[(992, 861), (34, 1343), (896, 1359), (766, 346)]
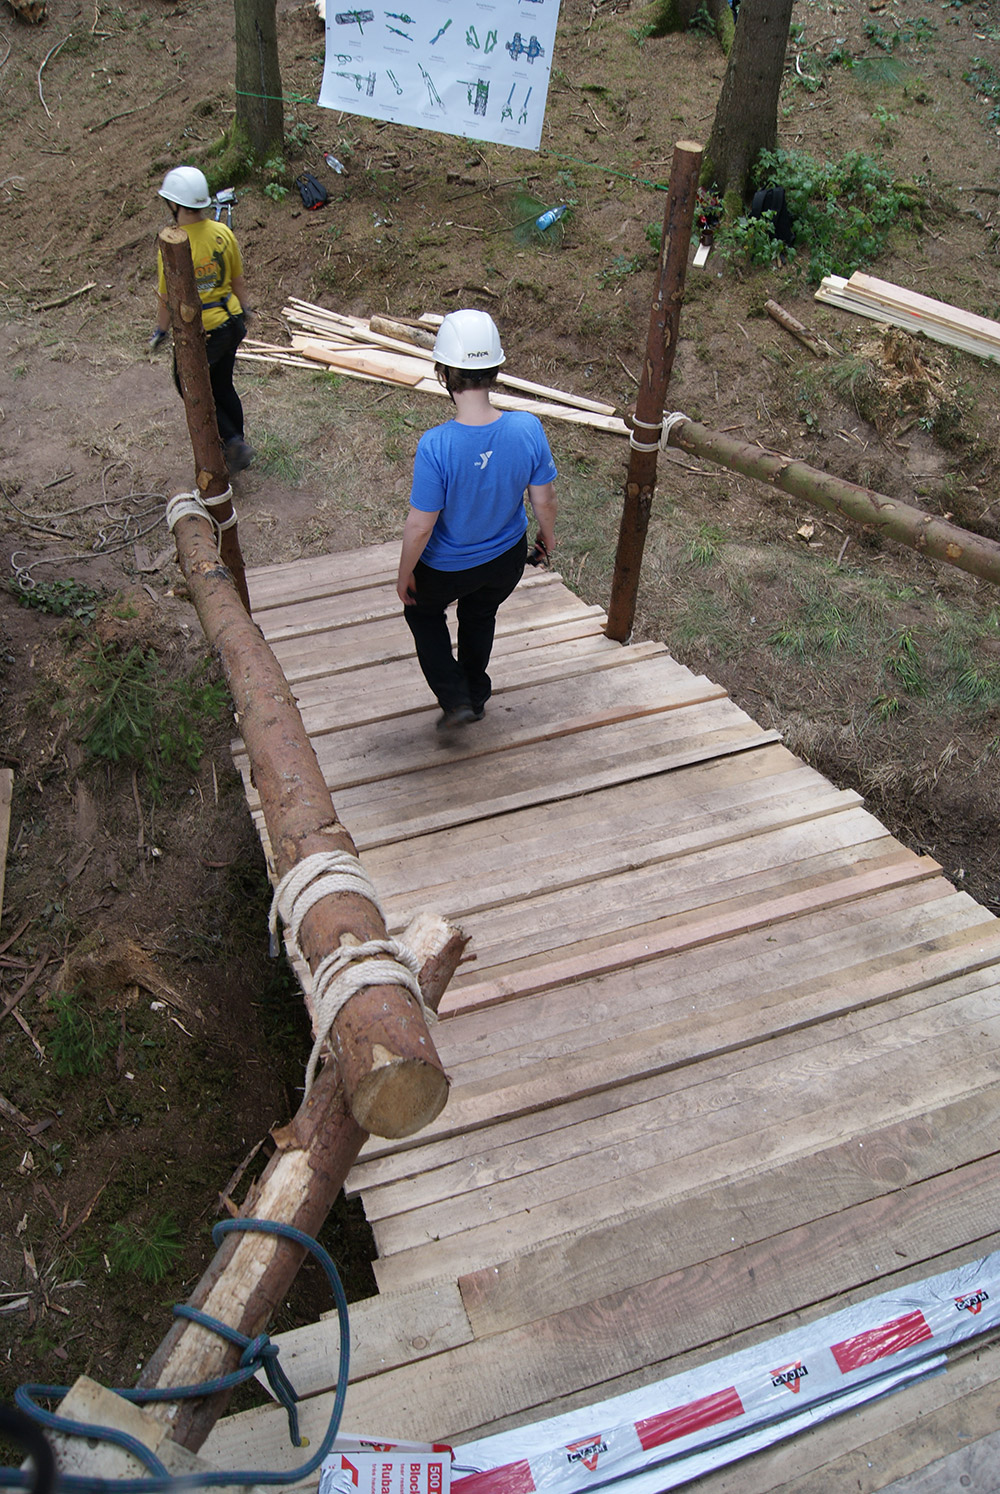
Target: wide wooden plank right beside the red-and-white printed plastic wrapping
[(525, 1372)]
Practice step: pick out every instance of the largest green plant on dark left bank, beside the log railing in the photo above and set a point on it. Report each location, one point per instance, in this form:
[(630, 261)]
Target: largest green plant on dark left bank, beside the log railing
[(140, 716)]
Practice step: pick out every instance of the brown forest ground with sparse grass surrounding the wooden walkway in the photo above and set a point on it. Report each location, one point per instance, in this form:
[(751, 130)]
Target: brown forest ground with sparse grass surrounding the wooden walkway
[(881, 669)]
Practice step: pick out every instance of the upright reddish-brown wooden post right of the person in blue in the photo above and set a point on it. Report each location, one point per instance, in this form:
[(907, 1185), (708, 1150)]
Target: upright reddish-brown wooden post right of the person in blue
[(661, 344)]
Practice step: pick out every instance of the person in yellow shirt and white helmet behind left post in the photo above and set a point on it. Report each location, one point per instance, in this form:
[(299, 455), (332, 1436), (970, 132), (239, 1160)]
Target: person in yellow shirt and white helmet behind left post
[(219, 276)]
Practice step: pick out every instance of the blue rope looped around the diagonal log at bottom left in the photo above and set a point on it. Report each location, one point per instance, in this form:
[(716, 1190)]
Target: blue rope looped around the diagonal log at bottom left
[(256, 1354)]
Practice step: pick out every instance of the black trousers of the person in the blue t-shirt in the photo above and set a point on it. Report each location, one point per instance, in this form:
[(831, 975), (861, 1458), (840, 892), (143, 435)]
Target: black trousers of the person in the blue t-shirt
[(479, 594)]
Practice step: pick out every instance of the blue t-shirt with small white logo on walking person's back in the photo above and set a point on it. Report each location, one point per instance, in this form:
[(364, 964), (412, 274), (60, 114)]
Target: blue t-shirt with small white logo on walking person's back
[(475, 479)]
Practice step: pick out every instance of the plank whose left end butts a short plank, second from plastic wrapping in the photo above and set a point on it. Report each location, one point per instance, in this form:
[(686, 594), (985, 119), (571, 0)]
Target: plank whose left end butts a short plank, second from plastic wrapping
[(742, 1208)]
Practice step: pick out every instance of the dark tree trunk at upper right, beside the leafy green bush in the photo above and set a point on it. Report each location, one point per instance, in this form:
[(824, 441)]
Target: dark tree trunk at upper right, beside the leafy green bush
[(747, 114)]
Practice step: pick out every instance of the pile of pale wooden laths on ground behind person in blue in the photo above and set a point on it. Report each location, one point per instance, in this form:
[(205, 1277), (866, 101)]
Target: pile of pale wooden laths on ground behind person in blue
[(401, 353)]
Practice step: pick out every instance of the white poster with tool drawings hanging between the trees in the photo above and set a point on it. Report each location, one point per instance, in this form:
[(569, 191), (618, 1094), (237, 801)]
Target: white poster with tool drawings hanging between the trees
[(478, 69)]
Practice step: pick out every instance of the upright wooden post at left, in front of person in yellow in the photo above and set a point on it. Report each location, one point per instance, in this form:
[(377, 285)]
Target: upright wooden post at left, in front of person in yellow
[(200, 406)]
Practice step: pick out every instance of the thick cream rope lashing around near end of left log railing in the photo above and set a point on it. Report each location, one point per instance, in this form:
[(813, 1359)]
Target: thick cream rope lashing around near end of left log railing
[(340, 975)]
